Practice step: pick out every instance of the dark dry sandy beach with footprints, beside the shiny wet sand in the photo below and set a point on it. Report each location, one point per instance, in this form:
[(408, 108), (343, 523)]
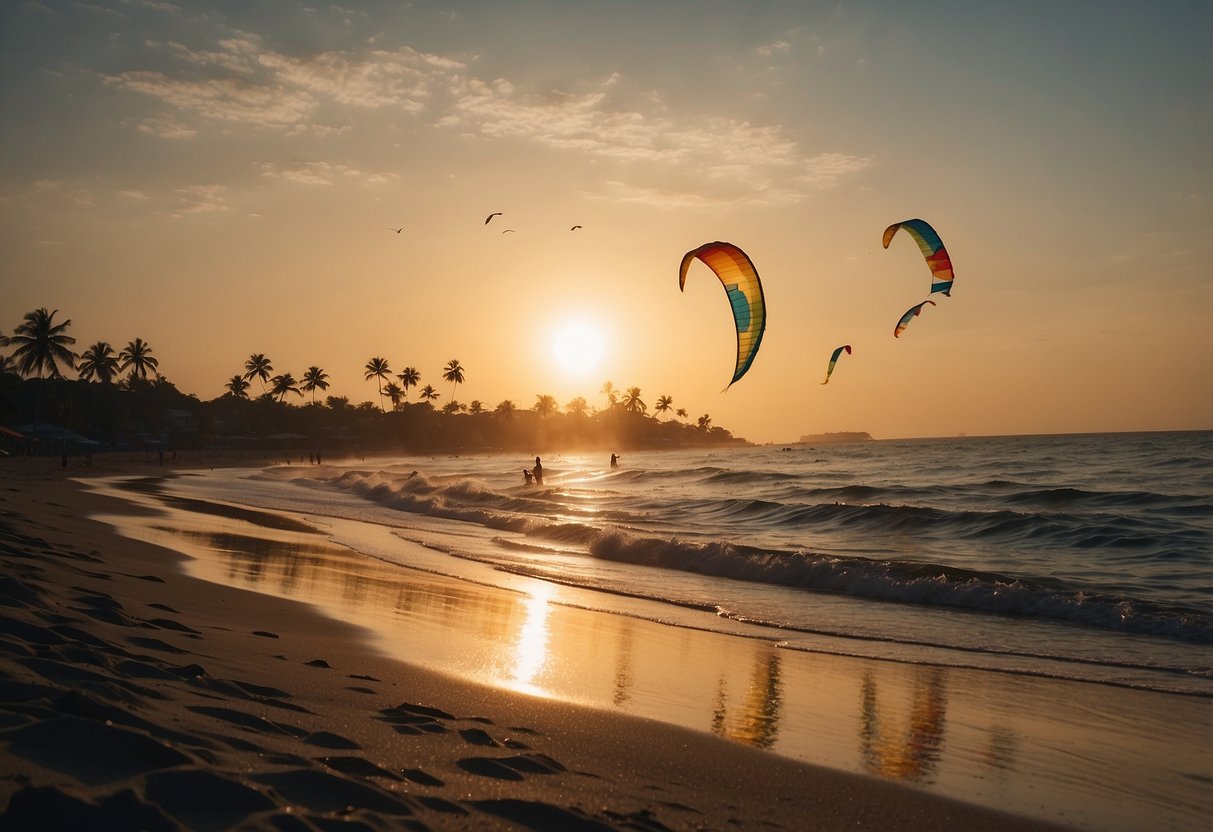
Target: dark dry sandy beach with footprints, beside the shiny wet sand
[(138, 697)]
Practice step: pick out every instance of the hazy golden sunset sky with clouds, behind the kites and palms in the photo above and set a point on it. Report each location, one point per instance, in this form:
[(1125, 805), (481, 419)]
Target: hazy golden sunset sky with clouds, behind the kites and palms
[(225, 179)]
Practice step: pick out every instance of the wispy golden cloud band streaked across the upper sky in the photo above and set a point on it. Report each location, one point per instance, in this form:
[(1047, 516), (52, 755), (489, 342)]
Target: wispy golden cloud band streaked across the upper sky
[(241, 81)]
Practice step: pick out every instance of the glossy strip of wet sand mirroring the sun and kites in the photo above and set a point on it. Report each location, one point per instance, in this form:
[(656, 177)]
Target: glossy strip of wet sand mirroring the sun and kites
[(1009, 742)]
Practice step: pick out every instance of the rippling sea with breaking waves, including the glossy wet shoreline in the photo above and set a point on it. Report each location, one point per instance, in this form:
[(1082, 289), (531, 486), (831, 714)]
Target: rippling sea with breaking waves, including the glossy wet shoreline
[(1080, 561)]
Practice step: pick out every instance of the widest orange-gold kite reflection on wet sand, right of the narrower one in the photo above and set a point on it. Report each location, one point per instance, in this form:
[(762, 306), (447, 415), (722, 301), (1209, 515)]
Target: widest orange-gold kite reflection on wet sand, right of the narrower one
[(913, 753)]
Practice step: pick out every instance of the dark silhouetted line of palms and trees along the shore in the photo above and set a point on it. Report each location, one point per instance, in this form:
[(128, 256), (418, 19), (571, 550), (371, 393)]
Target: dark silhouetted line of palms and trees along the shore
[(122, 401)]
